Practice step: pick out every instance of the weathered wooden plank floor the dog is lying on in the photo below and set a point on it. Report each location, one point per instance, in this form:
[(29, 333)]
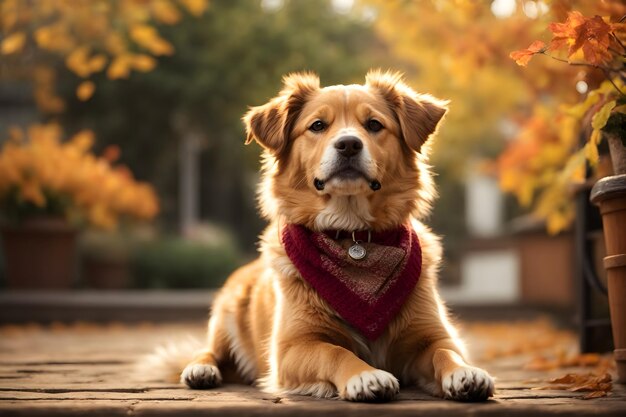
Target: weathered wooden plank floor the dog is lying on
[(88, 369)]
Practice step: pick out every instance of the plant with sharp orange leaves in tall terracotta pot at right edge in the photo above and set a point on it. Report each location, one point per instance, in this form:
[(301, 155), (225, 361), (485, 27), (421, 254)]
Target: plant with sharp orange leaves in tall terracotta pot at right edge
[(598, 44)]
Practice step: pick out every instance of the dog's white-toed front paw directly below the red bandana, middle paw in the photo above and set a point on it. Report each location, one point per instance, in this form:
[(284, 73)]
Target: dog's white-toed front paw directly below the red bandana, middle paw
[(376, 385)]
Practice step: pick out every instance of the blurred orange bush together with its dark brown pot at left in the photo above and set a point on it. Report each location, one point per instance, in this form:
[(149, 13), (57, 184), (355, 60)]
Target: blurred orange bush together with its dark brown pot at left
[(50, 188)]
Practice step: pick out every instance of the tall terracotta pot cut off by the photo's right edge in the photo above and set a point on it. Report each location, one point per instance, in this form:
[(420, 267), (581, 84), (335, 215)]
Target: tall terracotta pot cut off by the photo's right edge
[(610, 195)]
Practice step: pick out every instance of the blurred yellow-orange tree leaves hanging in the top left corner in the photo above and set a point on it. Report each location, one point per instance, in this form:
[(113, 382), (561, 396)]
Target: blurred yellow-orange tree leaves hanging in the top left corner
[(89, 36)]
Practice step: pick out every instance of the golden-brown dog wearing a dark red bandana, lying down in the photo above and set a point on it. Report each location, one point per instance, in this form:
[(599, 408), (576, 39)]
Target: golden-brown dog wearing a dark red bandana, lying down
[(342, 301)]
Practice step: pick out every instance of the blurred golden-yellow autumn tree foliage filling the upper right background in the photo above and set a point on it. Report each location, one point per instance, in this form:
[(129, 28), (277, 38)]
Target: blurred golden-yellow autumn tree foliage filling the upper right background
[(459, 49)]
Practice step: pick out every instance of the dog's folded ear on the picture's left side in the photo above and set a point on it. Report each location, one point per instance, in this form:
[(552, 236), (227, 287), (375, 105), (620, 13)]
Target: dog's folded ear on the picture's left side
[(270, 124)]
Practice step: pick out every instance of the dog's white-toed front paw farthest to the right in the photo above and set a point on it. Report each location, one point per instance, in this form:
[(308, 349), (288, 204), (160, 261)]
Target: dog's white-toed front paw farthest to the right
[(467, 383)]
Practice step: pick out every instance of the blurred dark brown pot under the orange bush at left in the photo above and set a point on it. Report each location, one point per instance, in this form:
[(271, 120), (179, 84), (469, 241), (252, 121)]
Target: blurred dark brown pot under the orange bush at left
[(40, 254)]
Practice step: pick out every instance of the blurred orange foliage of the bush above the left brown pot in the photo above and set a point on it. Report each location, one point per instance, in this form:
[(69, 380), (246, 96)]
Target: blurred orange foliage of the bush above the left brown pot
[(45, 168)]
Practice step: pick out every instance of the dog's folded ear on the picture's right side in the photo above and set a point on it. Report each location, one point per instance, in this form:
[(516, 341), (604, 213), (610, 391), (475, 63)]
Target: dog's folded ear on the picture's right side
[(418, 114)]
